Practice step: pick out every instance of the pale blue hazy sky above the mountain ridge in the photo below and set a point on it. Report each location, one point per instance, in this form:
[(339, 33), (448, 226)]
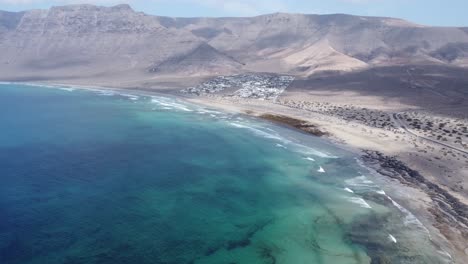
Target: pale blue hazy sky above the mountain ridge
[(430, 12)]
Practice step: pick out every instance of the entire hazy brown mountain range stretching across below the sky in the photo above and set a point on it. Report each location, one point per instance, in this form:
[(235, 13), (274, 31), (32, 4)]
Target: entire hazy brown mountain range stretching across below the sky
[(86, 41)]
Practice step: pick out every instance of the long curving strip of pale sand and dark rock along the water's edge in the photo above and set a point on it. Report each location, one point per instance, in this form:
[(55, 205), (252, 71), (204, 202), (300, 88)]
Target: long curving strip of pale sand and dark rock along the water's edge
[(429, 209)]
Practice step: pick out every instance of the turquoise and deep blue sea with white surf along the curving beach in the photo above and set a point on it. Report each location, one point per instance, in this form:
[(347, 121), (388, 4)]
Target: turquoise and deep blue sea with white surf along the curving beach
[(89, 176)]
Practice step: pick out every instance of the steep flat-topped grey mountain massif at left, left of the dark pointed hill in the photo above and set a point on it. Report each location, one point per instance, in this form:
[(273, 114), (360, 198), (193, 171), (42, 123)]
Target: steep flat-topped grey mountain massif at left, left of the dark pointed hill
[(87, 40)]
